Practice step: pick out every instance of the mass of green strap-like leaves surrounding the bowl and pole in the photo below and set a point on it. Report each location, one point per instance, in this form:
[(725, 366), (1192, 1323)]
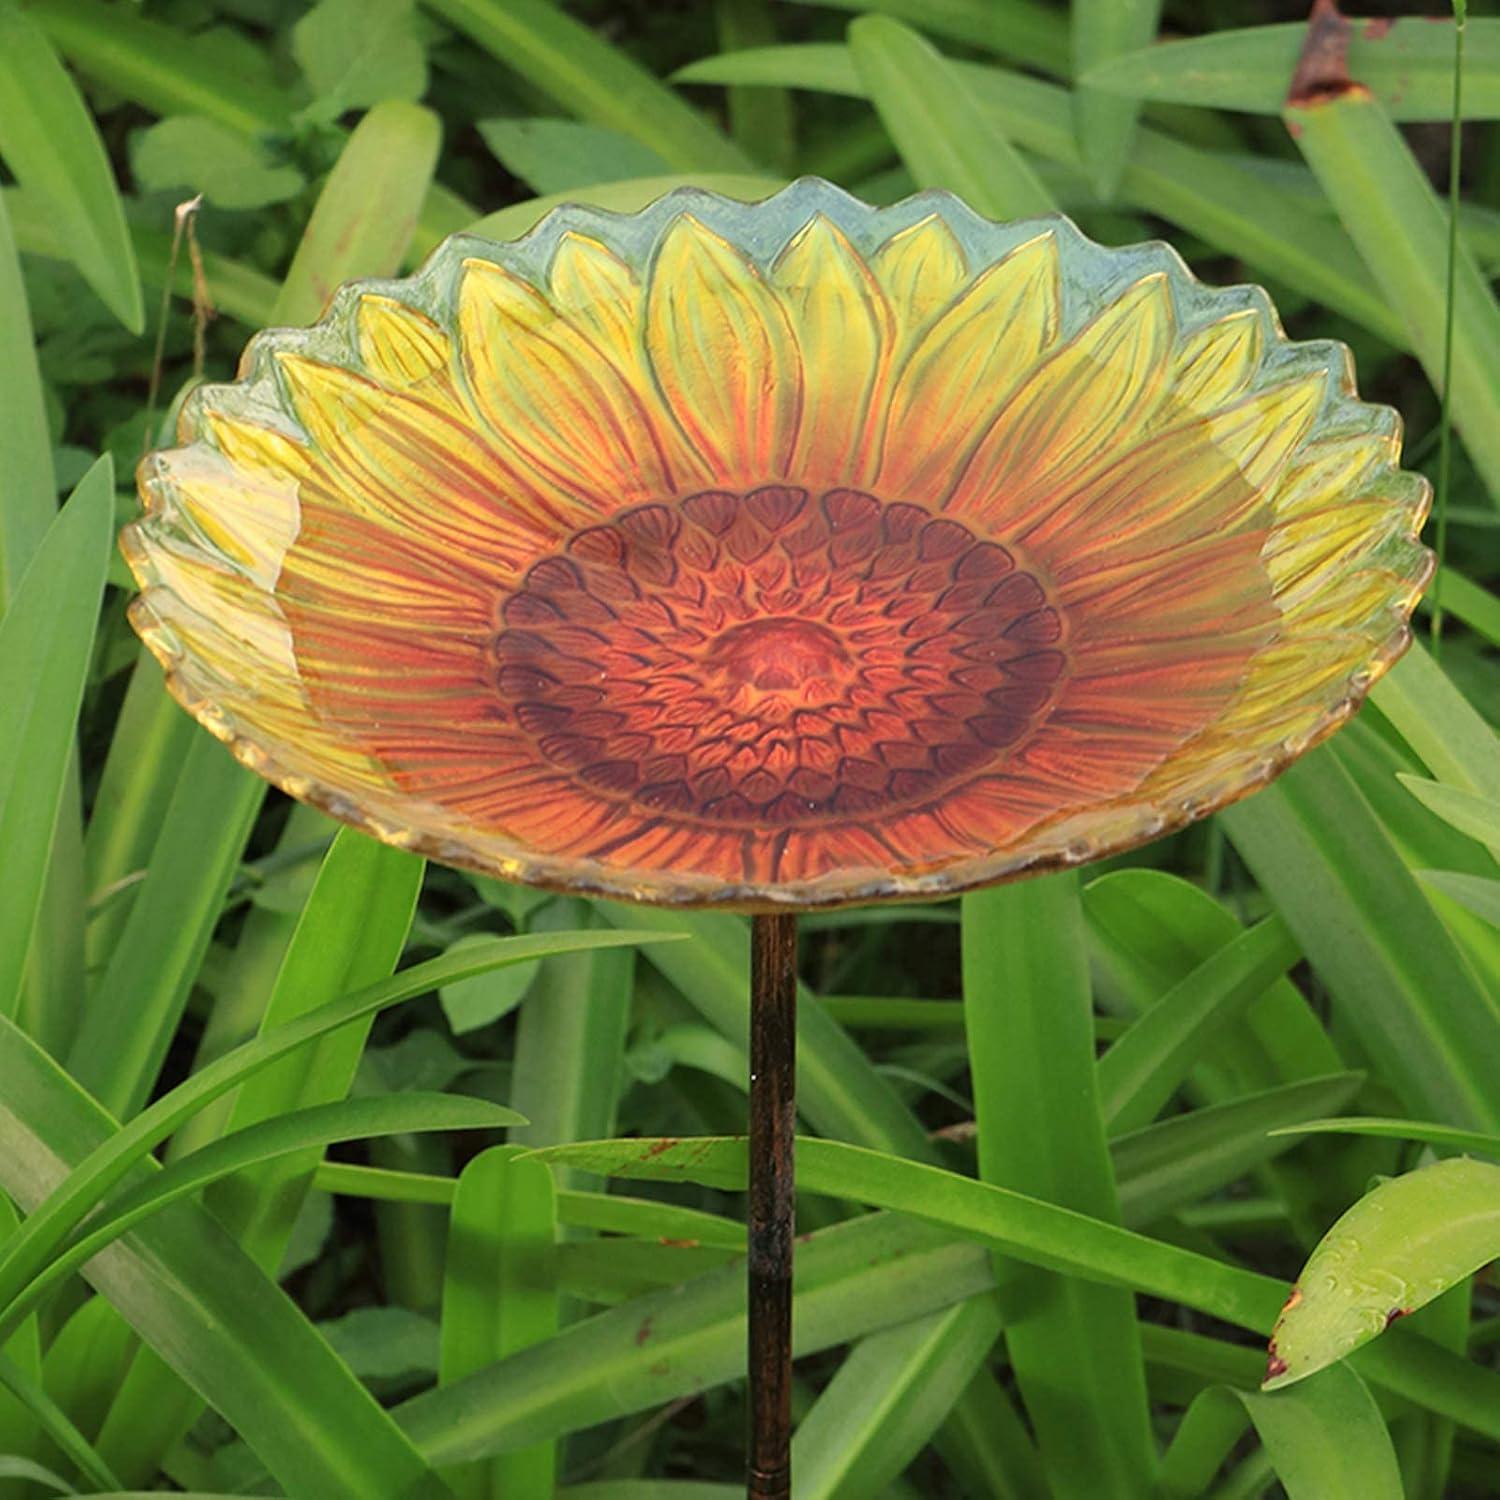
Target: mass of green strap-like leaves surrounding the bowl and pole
[(278, 1063)]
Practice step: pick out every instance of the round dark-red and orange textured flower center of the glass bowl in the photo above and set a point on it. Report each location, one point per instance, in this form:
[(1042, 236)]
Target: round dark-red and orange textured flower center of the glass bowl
[(778, 658)]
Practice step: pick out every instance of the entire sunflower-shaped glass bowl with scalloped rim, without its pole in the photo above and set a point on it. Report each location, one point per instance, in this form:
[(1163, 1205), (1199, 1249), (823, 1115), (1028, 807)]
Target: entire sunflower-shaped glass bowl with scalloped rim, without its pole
[(781, 554)]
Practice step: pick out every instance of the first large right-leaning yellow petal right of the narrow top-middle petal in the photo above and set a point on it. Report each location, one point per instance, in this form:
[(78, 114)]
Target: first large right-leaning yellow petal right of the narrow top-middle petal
[(965, 368)]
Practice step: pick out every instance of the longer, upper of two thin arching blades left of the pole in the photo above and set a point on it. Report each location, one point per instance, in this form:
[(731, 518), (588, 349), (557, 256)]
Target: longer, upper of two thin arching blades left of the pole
[(25, 1255)]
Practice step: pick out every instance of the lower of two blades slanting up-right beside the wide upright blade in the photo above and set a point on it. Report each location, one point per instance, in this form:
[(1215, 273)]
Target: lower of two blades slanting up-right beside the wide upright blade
[(1189, 1157)]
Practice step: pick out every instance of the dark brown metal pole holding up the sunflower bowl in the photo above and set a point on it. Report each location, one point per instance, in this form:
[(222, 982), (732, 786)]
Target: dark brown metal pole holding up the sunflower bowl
[(773, 1121)]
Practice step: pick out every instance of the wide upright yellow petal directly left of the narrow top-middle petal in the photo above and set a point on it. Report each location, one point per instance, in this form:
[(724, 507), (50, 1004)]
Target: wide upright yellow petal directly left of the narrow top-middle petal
[(724, 355)]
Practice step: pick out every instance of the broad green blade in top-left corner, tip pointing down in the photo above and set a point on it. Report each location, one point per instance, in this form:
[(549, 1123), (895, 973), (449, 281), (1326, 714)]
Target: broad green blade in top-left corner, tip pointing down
[(53, 149)]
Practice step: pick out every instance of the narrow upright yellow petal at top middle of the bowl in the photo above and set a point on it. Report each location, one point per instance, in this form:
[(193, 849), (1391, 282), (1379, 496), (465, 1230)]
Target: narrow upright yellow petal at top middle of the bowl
[(845, 329)]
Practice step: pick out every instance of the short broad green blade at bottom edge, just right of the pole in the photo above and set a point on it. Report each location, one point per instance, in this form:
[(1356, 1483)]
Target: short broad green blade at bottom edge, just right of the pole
[(887, 1400)]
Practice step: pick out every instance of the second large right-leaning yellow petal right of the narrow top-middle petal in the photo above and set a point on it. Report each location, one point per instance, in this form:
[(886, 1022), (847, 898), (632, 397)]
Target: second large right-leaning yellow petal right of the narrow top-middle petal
[(1076, 413)]
